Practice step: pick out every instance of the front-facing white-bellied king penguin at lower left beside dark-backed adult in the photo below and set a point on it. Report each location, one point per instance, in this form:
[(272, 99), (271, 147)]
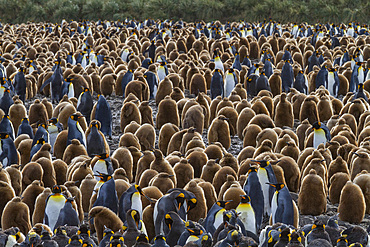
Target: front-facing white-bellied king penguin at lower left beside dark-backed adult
[(54, 203)]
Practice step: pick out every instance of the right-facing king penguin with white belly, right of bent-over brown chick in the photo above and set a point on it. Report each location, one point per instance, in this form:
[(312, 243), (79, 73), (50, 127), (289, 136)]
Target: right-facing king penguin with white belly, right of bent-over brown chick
[(131, 199)]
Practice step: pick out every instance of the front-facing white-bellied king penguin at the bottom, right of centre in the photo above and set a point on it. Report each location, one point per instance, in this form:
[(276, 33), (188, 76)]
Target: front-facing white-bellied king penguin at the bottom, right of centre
[(246, 214)]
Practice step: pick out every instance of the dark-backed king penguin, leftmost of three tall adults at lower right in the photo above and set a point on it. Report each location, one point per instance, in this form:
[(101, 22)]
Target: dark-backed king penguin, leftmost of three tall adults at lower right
[(253, 189)]
